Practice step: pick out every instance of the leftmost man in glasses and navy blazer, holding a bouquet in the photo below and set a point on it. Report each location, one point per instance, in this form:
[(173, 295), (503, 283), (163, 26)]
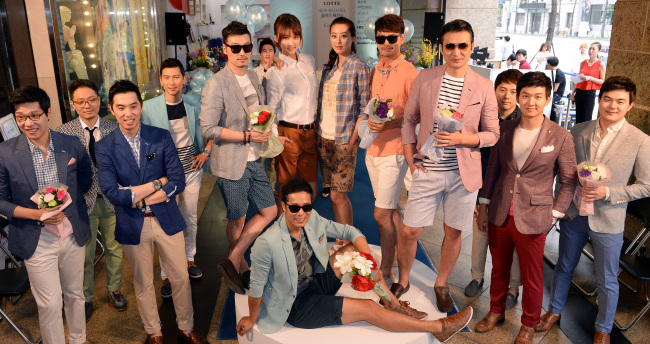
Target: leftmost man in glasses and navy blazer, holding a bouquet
[(55, 265)]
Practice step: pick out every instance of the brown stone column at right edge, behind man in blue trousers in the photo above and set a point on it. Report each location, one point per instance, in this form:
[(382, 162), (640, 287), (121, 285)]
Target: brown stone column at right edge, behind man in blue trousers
[(629, 55)]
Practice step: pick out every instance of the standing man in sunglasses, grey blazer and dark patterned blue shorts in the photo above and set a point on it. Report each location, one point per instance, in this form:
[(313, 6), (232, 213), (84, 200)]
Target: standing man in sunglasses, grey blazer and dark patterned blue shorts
[(224, 118)]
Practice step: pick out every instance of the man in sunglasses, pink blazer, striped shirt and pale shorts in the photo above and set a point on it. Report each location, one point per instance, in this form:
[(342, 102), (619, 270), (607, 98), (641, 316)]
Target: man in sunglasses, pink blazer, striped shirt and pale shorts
[(455, 179)]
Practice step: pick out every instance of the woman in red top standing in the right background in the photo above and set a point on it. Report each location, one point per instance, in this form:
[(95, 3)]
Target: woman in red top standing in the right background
[(592, 74)]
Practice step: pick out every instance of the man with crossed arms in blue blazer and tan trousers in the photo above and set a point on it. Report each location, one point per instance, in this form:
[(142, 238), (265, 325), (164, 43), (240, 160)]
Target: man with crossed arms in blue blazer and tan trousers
[(140, 174)]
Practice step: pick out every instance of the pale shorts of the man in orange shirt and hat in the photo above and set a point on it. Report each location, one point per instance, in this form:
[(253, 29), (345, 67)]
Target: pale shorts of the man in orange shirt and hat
[(387, 176)]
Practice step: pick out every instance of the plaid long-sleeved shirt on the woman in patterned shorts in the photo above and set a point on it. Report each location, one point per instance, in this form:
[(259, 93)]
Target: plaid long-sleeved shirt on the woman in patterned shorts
[(352, 95)]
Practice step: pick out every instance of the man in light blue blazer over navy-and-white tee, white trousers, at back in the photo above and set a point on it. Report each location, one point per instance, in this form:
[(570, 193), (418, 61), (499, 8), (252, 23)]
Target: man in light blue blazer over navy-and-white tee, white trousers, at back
[(173, 111)]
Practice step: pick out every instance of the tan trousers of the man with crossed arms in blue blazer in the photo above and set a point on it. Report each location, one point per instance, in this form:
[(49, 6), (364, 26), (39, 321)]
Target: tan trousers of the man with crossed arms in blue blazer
[(172, 255)]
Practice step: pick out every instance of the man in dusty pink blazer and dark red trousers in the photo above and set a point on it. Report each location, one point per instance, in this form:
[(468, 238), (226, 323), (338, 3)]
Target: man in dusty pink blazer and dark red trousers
[(519, 190)]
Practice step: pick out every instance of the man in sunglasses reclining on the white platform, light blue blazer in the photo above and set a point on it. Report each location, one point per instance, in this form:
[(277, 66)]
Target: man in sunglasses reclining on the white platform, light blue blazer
[(292, 275)]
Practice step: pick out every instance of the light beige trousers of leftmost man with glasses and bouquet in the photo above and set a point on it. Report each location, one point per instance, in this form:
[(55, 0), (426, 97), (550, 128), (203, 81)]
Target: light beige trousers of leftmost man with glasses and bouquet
[(55, 268)]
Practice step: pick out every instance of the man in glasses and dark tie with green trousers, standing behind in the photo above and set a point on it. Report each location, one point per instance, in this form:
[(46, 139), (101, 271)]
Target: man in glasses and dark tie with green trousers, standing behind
[(90, 128)]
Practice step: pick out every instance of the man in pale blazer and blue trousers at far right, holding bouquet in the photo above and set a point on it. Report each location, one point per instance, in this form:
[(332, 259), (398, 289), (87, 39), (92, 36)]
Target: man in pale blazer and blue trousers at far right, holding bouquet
[(625, 150)]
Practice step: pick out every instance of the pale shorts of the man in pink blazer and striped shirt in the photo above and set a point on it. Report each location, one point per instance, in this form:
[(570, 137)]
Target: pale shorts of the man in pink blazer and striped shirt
[(431, 188)]
